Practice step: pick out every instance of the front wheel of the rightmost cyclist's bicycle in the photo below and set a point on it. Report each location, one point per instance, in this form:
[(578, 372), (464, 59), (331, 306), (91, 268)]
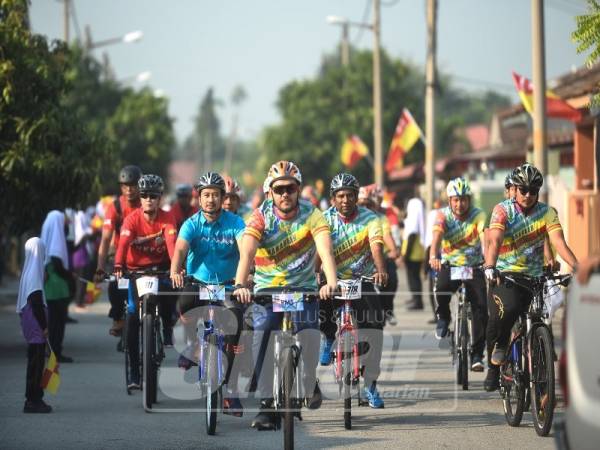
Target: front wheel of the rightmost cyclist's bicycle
[(542, 386)]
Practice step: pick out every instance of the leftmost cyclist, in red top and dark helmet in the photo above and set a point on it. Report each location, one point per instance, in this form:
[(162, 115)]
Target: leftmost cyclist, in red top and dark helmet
[(117, 211)]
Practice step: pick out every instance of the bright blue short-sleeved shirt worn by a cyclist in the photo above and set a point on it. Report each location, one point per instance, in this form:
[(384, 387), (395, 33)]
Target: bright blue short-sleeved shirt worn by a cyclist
[(214, 253)]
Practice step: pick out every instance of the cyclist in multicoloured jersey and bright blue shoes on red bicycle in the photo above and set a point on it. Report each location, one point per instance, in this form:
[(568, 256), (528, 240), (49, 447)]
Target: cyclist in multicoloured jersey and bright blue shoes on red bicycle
[(358, 250)]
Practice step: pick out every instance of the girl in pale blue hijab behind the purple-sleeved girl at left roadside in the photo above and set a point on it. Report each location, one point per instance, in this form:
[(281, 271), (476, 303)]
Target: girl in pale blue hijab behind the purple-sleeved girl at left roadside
[(59, 281)]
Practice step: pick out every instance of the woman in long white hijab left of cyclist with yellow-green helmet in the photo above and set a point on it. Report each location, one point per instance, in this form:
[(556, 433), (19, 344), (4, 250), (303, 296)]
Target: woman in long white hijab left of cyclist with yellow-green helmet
[(413, 253)]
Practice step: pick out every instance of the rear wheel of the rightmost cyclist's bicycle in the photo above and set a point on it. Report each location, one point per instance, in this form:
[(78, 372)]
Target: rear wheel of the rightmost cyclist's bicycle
[(513, 386)]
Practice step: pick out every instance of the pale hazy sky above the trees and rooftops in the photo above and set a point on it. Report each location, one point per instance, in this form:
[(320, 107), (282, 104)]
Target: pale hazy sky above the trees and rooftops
[(192, 45)]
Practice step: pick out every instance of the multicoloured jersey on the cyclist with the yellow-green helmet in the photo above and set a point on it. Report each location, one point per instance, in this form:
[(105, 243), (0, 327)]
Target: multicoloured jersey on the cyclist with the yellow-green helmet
[(461, 239)]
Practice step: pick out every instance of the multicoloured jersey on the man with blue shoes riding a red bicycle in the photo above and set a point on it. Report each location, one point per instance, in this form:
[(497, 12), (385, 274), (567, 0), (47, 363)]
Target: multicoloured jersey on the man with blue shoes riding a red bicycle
[(352, 238)]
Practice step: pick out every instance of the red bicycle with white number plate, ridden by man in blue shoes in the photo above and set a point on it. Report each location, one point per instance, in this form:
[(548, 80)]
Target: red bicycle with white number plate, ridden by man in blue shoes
[(347, 368)]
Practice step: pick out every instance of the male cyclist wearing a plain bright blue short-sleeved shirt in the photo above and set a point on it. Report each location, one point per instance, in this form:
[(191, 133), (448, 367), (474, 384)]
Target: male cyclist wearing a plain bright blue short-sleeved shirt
[(209, 242)]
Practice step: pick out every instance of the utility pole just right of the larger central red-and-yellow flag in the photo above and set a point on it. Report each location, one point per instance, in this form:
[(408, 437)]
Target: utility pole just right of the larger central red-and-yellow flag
[(431, 84)]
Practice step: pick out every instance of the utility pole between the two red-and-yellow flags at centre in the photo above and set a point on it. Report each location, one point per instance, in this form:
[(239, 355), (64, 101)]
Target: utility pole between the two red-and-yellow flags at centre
[(377, 102)]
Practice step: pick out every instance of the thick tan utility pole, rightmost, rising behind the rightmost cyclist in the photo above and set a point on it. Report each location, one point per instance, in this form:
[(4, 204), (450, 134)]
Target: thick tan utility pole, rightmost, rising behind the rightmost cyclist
[(540, 155)]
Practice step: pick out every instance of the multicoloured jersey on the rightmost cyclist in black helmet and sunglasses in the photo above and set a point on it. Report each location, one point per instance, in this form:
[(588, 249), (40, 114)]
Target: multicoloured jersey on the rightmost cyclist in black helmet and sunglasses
[(524, 234)]
